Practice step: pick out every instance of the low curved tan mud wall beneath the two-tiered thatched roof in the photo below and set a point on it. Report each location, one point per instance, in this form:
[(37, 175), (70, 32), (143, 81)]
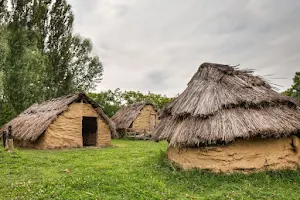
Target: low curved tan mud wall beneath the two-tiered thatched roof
[(243, 156)]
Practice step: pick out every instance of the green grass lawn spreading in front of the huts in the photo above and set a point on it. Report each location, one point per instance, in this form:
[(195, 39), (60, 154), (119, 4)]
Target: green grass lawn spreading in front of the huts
[(130, 170)]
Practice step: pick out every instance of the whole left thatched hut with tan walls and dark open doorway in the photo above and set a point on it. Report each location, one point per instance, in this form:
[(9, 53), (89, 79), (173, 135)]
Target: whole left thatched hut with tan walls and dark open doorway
[(69, 121)]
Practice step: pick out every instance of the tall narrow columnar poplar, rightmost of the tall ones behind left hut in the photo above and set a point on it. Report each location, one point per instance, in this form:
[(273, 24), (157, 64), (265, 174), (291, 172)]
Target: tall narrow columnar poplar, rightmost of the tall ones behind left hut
[(58, 49)]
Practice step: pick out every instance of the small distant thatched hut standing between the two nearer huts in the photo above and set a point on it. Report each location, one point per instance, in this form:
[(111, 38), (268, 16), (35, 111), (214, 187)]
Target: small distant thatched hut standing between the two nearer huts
[(138, 117)]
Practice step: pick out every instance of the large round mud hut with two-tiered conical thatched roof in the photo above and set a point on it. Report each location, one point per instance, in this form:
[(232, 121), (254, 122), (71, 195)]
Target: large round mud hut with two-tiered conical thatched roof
[(230, 120)]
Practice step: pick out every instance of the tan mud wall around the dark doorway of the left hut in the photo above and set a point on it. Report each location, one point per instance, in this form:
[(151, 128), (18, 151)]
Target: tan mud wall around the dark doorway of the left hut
[(66, 130)]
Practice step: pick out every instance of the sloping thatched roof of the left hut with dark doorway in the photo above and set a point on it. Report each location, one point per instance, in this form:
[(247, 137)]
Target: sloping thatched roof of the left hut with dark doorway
[(30, 124)]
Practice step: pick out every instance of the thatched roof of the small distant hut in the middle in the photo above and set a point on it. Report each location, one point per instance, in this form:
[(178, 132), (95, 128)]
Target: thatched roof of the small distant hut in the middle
[(127, 114)]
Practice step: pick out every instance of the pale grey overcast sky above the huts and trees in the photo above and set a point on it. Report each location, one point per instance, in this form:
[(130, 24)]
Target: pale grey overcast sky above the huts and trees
[(157, 45)]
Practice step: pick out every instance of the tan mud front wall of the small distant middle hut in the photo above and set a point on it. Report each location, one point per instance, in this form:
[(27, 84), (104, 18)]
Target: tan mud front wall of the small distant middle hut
[(142, 121)]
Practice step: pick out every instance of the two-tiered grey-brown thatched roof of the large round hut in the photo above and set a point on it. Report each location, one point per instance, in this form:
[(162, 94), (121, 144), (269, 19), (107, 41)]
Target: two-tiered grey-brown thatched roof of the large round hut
[(221, 104)]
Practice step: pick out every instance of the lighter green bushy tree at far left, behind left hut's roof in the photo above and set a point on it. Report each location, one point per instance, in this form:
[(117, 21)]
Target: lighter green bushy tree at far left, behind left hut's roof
[(24, 71)]
